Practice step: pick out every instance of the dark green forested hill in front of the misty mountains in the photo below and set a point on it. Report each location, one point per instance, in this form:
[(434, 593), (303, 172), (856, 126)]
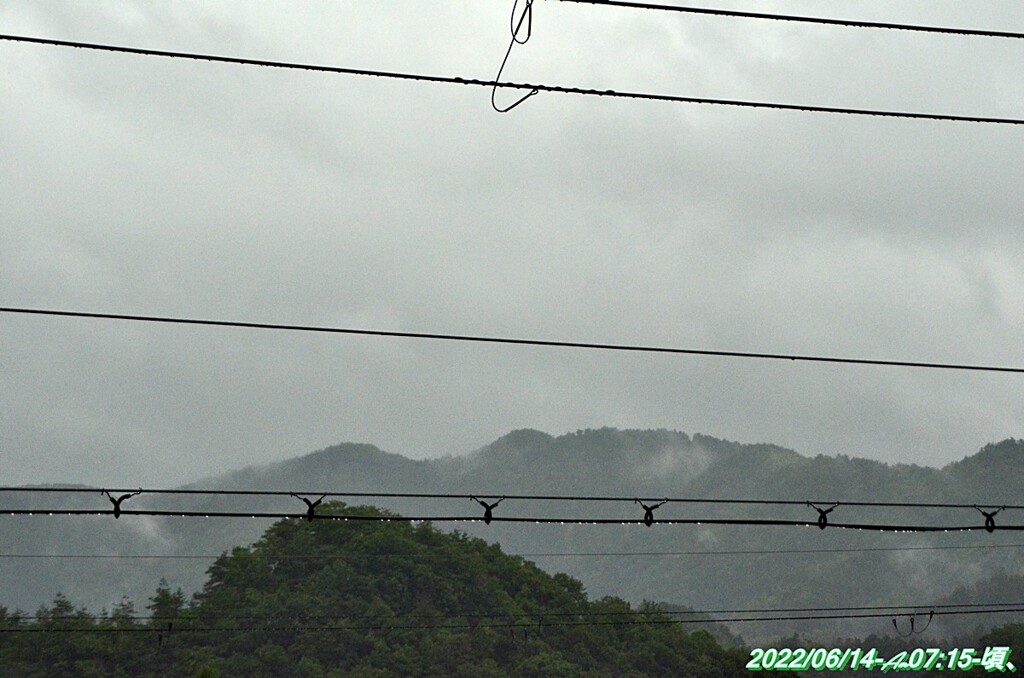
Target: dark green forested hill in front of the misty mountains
[(355, 599)]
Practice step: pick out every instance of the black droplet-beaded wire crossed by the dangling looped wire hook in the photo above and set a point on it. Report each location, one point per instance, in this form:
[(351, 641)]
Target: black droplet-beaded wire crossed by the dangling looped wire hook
[(510, 86)]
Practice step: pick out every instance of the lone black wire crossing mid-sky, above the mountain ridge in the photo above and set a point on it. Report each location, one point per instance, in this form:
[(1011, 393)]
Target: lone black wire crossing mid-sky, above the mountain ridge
[(508, 341)]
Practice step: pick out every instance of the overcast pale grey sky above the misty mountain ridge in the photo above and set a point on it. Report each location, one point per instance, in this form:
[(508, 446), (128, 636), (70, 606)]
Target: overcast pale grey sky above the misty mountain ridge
[(148, 186)]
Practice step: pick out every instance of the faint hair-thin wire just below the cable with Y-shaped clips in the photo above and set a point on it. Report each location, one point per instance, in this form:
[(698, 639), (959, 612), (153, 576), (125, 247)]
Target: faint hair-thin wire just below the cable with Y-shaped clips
[(550, 555)]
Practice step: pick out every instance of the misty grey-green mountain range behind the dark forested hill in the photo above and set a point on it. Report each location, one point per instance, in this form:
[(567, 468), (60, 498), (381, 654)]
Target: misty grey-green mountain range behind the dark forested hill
[(777, 567)]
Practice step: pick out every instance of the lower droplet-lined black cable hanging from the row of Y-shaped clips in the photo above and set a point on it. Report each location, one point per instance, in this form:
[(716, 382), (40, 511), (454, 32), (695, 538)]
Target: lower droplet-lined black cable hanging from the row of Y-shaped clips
[(755, 523)]
